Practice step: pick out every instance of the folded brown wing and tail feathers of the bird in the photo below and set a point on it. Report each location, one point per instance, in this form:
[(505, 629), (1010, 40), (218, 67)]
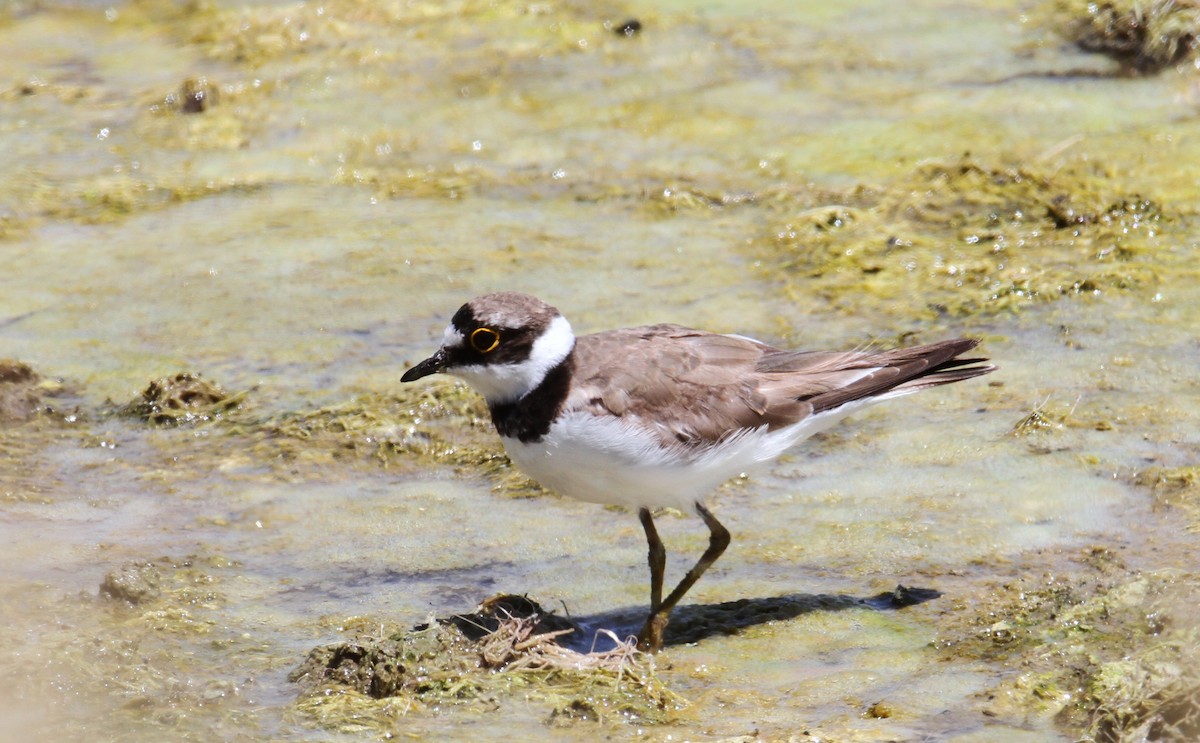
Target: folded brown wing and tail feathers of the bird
[(700, 387)]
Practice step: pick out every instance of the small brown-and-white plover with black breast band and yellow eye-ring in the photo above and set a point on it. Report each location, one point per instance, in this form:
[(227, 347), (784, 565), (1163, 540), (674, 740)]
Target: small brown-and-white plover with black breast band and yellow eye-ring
[(659, 416)]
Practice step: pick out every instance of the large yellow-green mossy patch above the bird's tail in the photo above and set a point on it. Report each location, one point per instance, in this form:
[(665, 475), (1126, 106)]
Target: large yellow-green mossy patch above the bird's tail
[(968, 238)]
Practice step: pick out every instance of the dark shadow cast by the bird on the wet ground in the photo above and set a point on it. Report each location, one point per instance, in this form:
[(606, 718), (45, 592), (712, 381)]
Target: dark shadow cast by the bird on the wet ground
[(689, 625)]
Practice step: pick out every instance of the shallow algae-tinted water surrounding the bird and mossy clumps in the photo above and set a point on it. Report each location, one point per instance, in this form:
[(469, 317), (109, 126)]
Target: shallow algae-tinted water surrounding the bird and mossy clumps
[(369, 167)]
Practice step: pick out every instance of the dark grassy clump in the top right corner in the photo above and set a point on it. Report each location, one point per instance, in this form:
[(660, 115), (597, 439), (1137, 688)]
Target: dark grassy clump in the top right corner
[(1143, 38)]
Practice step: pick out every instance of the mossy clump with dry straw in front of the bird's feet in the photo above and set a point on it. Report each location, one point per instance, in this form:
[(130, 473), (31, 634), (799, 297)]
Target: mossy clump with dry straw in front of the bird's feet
[(506, 650)]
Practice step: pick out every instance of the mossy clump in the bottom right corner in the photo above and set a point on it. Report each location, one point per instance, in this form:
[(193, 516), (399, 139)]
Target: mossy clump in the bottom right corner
[(1106, 650)]
